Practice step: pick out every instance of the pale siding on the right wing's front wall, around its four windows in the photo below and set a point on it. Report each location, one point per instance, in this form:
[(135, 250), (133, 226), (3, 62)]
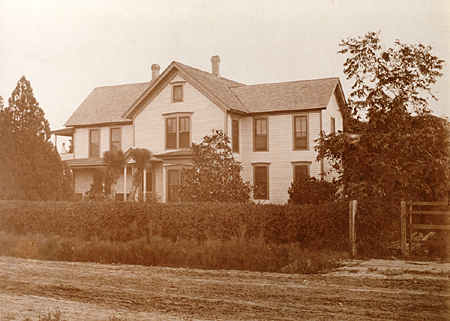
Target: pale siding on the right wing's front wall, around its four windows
[(281, 154)]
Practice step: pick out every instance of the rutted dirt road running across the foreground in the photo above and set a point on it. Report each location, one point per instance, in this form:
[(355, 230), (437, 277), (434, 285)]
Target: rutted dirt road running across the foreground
[(372, 290)]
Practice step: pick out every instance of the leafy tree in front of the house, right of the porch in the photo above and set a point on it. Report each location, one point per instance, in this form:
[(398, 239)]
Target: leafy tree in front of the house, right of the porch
[(214, 176)]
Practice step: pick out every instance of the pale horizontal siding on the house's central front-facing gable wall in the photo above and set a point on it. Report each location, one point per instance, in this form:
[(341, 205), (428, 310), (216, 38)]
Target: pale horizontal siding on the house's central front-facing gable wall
[(149, 124)]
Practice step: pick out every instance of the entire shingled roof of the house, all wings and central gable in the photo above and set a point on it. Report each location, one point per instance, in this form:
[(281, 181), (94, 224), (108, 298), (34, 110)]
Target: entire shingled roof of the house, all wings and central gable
[(121, 104)]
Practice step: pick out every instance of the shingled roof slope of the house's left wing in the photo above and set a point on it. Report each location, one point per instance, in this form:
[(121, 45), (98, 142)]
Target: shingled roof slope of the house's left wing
[(106, 105)]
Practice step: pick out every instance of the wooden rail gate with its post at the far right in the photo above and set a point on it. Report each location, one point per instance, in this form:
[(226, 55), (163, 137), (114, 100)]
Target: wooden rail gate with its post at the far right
[(408, 210)]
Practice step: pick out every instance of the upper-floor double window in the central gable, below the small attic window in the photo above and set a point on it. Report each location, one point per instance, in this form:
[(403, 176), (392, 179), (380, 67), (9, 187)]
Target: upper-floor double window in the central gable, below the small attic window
[(178, 132)]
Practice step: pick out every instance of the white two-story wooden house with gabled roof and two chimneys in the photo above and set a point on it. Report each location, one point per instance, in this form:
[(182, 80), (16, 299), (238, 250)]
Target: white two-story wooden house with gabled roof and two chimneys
[(273, 127)]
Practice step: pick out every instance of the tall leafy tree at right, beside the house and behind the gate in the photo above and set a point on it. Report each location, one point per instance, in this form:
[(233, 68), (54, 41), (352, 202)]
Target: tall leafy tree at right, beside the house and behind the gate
[(393, 147)]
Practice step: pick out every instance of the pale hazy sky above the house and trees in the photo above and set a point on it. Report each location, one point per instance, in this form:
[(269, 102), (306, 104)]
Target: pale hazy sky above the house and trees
[(66, 48)]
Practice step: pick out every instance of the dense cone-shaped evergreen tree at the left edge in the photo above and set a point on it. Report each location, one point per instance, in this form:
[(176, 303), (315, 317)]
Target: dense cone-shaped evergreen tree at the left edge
[(30, 165)]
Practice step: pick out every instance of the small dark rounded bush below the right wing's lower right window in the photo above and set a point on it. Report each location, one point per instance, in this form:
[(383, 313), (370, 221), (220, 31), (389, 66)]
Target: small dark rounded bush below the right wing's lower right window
[(310, 190)]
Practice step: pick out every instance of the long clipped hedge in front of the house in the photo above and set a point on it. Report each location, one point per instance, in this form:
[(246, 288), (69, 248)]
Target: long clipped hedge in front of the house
[(321, 226)]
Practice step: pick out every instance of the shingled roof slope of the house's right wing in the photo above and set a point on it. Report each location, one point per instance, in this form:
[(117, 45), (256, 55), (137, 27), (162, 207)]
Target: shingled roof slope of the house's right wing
[(287, 96)]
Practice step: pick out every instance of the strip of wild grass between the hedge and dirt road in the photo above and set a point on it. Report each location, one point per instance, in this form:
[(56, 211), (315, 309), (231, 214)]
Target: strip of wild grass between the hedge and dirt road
[(234, 254)]
